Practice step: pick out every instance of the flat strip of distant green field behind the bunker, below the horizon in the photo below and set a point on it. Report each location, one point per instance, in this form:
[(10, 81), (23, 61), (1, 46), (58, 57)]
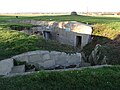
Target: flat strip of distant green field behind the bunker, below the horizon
[(111, 22)]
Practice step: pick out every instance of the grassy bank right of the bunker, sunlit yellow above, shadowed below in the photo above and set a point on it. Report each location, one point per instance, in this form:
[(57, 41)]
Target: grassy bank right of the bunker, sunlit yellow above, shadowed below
[(109, 39)]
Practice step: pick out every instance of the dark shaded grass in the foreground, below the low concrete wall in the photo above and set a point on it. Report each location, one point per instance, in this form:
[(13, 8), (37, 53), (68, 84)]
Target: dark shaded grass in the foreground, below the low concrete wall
[(106, 78)]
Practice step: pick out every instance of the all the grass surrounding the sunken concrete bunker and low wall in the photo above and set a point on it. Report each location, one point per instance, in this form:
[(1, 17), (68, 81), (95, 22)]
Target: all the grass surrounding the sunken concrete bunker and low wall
[(106, 31)]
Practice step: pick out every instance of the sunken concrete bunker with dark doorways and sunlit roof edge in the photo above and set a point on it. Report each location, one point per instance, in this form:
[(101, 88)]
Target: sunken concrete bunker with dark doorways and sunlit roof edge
[(69, 32)]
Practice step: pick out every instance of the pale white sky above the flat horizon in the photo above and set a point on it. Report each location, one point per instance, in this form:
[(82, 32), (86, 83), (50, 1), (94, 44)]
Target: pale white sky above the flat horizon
[(14, 6)]
